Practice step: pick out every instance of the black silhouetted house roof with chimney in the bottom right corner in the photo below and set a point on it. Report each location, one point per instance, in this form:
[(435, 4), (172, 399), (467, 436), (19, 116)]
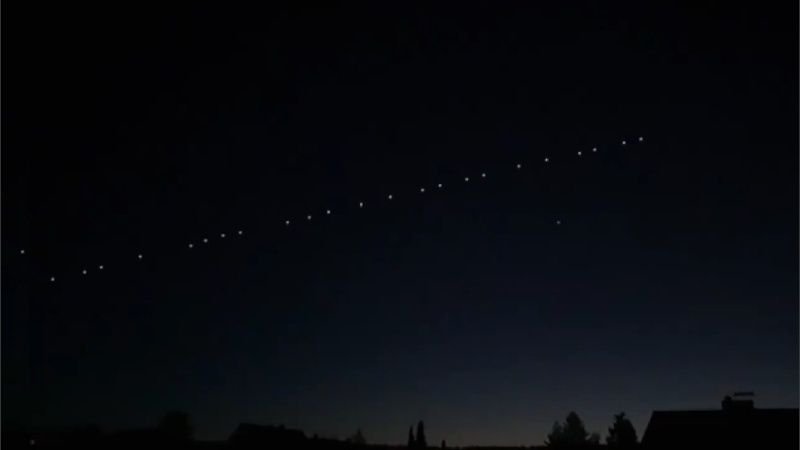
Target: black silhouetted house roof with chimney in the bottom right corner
[(737, 425)]
